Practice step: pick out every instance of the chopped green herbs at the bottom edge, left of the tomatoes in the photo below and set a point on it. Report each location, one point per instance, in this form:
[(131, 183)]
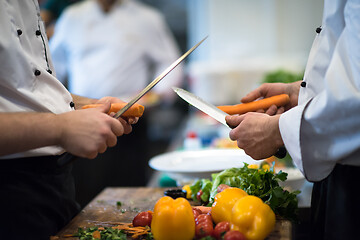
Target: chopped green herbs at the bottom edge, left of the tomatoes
[(107, 234)]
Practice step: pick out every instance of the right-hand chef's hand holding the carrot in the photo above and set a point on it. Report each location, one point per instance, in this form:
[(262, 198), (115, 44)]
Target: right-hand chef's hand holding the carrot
[(271, 89)]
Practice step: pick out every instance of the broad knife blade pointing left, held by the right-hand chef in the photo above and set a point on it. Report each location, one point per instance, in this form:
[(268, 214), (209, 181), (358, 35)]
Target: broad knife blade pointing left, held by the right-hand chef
[(202, 105)]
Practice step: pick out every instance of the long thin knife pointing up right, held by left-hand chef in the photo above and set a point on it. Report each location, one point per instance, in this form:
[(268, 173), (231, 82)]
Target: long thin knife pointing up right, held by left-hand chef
[(68, 157)]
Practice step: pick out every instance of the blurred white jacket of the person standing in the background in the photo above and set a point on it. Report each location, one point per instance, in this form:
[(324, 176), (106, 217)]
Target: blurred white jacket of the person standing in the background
[(109, 54)]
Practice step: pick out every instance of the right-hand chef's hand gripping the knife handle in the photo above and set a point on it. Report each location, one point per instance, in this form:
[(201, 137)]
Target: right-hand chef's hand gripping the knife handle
[(257, 134)]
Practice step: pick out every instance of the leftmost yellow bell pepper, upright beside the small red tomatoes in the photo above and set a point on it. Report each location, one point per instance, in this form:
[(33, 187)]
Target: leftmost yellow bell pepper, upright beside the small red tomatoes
[(173, 220)]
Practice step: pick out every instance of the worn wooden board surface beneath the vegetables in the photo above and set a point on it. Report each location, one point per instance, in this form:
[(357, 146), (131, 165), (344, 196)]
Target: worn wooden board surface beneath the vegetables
[(104, 209)]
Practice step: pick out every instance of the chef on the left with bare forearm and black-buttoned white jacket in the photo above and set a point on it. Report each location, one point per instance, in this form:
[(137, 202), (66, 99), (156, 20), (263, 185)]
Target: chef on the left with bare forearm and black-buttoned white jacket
[(38, 122)]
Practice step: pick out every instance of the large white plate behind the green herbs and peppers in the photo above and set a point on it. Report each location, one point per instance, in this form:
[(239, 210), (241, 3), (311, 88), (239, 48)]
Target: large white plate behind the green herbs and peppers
[(186, 166)]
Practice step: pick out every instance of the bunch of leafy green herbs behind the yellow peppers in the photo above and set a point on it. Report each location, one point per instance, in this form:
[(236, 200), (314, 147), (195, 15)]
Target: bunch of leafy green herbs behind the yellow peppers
[(258, 182)]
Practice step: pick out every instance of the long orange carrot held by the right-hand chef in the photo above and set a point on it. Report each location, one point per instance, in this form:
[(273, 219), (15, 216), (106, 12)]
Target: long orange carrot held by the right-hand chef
[(278, 100)]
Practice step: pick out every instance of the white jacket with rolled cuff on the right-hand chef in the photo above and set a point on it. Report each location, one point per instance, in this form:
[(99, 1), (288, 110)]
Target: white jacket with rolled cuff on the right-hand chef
[(324, 129)]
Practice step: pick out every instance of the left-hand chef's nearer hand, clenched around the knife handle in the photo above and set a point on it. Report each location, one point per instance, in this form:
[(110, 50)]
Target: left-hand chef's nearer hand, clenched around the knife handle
[(87, 132)]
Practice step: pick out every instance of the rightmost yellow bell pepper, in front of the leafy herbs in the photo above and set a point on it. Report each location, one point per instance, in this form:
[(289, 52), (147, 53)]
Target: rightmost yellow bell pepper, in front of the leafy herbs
[(252, 217)]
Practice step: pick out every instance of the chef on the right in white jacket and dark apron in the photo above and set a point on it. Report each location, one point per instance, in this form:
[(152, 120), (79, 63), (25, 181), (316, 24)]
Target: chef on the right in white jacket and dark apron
[(320, 126)]
